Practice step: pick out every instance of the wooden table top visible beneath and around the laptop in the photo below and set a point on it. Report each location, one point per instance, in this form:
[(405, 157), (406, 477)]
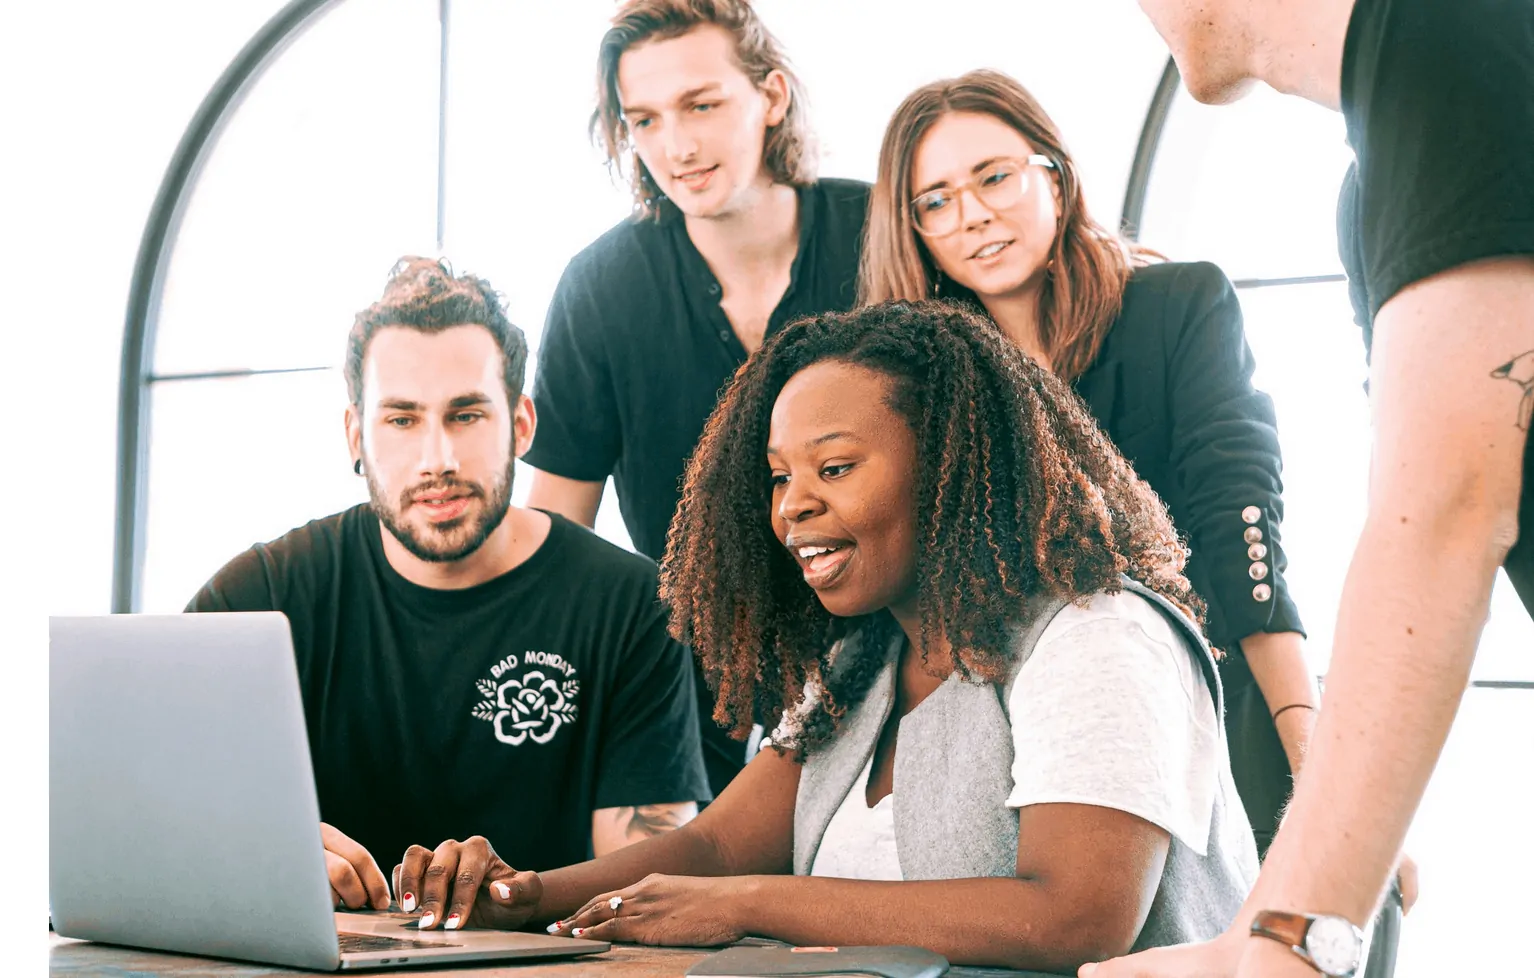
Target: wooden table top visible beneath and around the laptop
[(70, 959)]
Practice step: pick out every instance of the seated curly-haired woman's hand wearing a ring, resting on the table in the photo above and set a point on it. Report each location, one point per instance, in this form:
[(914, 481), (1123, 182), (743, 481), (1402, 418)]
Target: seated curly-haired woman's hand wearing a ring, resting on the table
[(659, 910)]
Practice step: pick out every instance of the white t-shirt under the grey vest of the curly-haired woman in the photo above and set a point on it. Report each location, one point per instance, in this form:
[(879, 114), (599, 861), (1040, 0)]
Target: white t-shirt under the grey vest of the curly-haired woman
[(1110, 711)]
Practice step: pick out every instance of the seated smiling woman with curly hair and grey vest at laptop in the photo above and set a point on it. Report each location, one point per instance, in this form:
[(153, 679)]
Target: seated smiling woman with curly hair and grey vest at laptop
[(1001, 733)]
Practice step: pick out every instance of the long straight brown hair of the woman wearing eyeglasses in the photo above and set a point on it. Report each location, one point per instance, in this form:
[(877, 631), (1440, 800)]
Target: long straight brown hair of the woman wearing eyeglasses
[(1085, 287)]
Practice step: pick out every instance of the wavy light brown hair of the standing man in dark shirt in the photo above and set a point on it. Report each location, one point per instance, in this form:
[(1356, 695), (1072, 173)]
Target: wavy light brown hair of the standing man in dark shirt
[(789, 149)]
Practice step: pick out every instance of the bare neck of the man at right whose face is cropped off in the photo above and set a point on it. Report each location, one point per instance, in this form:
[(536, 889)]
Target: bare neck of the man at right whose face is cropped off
[(1299, 47)]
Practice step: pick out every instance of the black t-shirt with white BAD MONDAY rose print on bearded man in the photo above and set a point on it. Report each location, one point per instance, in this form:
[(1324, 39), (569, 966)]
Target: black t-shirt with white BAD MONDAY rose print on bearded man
[(509, 711)]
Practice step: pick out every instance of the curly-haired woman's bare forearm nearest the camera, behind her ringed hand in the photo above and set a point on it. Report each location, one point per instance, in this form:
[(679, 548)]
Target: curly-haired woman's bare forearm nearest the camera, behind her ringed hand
[(998, 922)]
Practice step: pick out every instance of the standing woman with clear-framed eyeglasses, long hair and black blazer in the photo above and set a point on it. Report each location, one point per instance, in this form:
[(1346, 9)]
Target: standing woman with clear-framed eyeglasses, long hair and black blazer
[(978, 200)]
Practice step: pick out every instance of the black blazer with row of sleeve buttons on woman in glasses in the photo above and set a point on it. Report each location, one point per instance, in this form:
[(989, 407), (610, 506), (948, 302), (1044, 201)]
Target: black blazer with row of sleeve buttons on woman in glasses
[(1173, 389)]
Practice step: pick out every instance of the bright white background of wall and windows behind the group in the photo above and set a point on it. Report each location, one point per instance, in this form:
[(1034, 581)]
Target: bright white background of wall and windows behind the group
[(328, 174)]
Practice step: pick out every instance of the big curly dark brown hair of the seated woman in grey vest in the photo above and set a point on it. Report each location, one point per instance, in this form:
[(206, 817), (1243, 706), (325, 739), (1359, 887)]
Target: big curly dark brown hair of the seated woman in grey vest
[(1021, 496)]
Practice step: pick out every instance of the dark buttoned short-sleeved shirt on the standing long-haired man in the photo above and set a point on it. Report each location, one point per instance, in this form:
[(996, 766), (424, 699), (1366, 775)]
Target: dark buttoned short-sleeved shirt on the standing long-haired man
[(634, 356)]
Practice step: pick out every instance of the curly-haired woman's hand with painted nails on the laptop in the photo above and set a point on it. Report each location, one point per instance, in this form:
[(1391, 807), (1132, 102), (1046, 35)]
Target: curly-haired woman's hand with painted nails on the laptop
[(466, 885)]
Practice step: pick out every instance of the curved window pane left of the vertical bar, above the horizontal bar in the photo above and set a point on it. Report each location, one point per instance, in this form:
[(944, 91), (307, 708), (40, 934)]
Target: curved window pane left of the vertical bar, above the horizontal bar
[(321, 179)]
